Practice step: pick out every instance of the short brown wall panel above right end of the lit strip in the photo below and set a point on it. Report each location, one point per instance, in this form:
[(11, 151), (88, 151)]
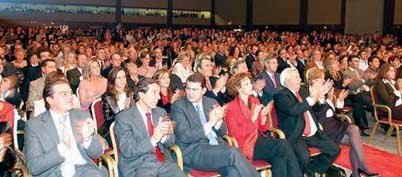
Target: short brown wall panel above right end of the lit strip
[(192, 4)]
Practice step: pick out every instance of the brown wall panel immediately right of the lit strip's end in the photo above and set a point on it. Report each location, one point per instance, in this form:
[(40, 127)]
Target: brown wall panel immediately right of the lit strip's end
[(230, 11)]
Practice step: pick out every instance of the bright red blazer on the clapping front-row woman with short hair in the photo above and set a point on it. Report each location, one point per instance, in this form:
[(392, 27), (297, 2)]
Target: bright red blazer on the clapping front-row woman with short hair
[(240, 126)]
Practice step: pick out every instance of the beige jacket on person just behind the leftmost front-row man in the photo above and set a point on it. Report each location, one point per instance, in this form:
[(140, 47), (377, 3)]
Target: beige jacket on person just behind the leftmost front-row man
[(35, 92)]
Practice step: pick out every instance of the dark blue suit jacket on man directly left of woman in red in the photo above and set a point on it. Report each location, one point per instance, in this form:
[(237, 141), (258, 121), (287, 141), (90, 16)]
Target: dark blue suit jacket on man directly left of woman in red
[(189, 130)]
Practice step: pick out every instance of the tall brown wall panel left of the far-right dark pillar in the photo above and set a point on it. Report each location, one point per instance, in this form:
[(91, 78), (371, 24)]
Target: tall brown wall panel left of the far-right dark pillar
[(364, 16)]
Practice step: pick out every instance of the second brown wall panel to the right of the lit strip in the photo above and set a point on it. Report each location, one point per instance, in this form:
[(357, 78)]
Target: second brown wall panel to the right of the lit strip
[(282, 12)]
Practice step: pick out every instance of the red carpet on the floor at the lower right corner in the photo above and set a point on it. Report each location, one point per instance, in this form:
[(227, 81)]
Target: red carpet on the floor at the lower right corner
[(380, 161)]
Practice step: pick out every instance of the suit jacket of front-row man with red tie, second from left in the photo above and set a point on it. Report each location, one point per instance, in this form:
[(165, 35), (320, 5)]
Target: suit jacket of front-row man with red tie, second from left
[(134, 143)]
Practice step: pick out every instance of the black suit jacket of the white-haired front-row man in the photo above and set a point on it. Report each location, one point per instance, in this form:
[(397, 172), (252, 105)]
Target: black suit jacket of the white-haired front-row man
[(291, 114)]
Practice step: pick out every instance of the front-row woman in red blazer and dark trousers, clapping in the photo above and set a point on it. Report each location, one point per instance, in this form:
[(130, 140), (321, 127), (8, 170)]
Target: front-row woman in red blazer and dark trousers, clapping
[(246, 120)]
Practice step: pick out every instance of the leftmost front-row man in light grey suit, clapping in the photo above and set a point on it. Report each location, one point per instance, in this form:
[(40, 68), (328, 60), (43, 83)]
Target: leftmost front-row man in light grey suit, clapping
[(61, 141)]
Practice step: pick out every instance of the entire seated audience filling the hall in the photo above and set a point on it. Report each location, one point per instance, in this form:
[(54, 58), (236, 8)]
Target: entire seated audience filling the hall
[(191, 88)]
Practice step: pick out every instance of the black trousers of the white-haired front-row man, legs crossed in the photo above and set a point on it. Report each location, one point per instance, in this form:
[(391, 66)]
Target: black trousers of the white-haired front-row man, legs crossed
[(321, 163)]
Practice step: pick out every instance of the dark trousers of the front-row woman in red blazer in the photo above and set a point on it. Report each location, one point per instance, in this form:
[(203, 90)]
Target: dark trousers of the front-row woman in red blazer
[(279, 154)]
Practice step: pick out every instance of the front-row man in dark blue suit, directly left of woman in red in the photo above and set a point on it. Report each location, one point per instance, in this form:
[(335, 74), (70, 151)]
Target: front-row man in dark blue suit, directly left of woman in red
[(199, 132)]
